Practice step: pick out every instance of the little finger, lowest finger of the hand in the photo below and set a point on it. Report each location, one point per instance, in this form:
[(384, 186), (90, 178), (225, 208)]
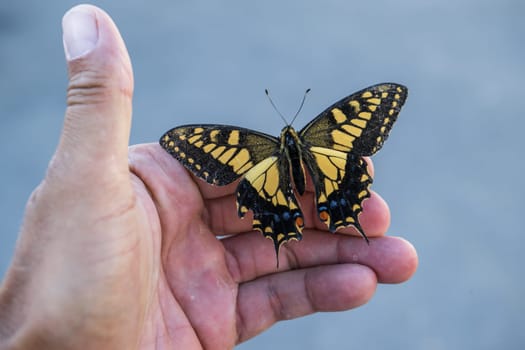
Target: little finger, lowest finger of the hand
[(297, 293)]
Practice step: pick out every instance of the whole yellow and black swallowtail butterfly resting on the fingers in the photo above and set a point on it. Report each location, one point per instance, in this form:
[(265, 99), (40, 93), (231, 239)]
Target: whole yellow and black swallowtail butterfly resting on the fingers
[(272, 170)]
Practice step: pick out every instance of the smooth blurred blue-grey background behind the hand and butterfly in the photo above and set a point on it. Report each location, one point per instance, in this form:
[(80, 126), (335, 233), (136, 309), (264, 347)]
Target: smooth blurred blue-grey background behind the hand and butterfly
[(452, 170)]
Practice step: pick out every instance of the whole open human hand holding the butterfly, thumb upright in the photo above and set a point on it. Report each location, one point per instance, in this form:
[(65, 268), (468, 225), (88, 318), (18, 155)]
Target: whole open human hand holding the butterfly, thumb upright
[(119, 248)]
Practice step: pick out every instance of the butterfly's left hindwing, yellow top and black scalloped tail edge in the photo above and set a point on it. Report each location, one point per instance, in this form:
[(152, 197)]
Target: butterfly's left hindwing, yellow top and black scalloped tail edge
[(266, 190)]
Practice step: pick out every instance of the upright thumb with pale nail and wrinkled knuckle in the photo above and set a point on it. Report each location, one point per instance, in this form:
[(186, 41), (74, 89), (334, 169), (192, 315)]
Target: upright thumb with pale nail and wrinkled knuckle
[(98, 115)]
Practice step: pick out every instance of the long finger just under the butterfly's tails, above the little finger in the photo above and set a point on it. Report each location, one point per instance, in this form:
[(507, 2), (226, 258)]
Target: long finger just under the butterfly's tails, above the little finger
[(393, 259)]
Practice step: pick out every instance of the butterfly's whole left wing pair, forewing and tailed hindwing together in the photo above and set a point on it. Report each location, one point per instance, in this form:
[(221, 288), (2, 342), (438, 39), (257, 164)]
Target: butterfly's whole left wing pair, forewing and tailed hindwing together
[(221, 154)]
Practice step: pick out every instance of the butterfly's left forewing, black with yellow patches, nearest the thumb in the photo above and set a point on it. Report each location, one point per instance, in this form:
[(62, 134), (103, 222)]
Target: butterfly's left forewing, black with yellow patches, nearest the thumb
[(218, 154)]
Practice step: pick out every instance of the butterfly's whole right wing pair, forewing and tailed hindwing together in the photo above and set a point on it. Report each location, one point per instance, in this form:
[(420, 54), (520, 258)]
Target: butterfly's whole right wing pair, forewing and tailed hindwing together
[(334, 143)]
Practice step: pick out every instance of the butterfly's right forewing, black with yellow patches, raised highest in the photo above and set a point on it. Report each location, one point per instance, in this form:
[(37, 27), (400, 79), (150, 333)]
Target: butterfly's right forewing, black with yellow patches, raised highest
[(359, 123)]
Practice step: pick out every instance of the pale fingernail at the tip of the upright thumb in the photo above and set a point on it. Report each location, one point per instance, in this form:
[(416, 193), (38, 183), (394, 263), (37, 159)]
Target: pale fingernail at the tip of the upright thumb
[(80, 32)]
